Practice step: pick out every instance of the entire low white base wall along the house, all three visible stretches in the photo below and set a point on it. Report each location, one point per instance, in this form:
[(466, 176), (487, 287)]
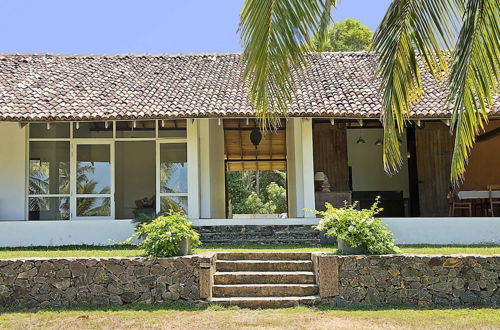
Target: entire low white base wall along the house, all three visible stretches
[(107, 232)]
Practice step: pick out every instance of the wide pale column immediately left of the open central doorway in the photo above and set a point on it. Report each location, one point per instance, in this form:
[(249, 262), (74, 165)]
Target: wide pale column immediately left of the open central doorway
[(212, 171)]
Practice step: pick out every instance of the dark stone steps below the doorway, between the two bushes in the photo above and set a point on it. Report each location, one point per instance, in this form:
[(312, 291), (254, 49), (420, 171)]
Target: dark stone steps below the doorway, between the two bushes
[(259, 234)]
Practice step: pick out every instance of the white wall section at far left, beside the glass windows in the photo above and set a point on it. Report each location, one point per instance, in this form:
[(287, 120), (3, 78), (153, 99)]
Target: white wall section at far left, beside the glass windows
[(12, 171)]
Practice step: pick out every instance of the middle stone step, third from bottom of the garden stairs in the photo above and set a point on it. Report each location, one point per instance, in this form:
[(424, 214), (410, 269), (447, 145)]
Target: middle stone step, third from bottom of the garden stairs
[(264, 278)]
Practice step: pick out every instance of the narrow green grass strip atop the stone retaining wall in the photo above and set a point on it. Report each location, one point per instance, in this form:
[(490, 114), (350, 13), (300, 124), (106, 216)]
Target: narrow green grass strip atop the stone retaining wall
[(132, 251)]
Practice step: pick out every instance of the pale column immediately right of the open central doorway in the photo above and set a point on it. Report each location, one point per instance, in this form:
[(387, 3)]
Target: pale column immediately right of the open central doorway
[(300, 170)]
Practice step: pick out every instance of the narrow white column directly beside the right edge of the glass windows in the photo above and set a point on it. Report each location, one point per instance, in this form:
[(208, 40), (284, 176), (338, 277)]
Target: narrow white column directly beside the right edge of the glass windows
[(193, 159)]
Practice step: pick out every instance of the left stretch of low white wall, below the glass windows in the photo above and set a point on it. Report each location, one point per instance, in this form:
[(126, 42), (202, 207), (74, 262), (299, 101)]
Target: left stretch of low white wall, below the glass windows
[(54, 233)]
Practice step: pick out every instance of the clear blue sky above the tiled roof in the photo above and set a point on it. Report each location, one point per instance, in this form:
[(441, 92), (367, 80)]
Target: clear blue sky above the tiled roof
[(134, 26)]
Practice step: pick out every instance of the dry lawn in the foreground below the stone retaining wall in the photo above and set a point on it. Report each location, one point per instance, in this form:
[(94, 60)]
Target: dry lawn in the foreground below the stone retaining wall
[(179, 316)]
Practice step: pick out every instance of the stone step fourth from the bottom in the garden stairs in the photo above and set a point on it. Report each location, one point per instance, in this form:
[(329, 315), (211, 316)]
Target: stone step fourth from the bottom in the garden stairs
[(264, 265)]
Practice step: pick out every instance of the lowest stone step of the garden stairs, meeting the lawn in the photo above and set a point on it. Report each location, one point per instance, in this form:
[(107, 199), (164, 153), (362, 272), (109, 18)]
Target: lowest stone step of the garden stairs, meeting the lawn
[(266, 302)]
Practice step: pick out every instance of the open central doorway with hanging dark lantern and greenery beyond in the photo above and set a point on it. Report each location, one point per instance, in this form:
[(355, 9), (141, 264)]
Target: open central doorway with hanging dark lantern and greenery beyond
[(255, 164)]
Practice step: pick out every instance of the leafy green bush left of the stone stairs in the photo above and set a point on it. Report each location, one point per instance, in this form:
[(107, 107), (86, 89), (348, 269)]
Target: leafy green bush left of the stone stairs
[(162, 236)]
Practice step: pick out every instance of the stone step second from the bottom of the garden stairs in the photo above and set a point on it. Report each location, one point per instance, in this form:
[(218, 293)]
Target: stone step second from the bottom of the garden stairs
[(264, 290)]
